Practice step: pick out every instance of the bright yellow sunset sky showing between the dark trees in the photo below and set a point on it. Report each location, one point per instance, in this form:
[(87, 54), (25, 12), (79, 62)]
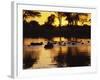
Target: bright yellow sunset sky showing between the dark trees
[(44, 16)]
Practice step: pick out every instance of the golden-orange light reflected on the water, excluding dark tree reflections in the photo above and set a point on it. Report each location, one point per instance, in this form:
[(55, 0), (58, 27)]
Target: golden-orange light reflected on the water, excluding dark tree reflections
[(45, 57)]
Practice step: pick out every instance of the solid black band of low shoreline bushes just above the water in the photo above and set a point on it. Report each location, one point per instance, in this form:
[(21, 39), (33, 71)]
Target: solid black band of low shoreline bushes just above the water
[(34, 30)]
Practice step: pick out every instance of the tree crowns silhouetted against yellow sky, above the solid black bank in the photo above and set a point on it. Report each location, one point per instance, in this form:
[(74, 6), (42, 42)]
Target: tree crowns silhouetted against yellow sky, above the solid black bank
[(72, 17)]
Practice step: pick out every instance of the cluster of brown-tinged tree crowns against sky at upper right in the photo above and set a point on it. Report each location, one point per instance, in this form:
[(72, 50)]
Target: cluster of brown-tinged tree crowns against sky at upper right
[(72, 18)]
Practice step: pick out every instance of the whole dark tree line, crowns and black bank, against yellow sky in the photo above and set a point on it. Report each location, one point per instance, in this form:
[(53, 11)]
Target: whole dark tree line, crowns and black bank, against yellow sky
[(34, 29)]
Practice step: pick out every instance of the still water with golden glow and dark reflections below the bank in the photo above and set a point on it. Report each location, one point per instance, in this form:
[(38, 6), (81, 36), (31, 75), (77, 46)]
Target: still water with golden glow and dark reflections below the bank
[(36, 56)]
